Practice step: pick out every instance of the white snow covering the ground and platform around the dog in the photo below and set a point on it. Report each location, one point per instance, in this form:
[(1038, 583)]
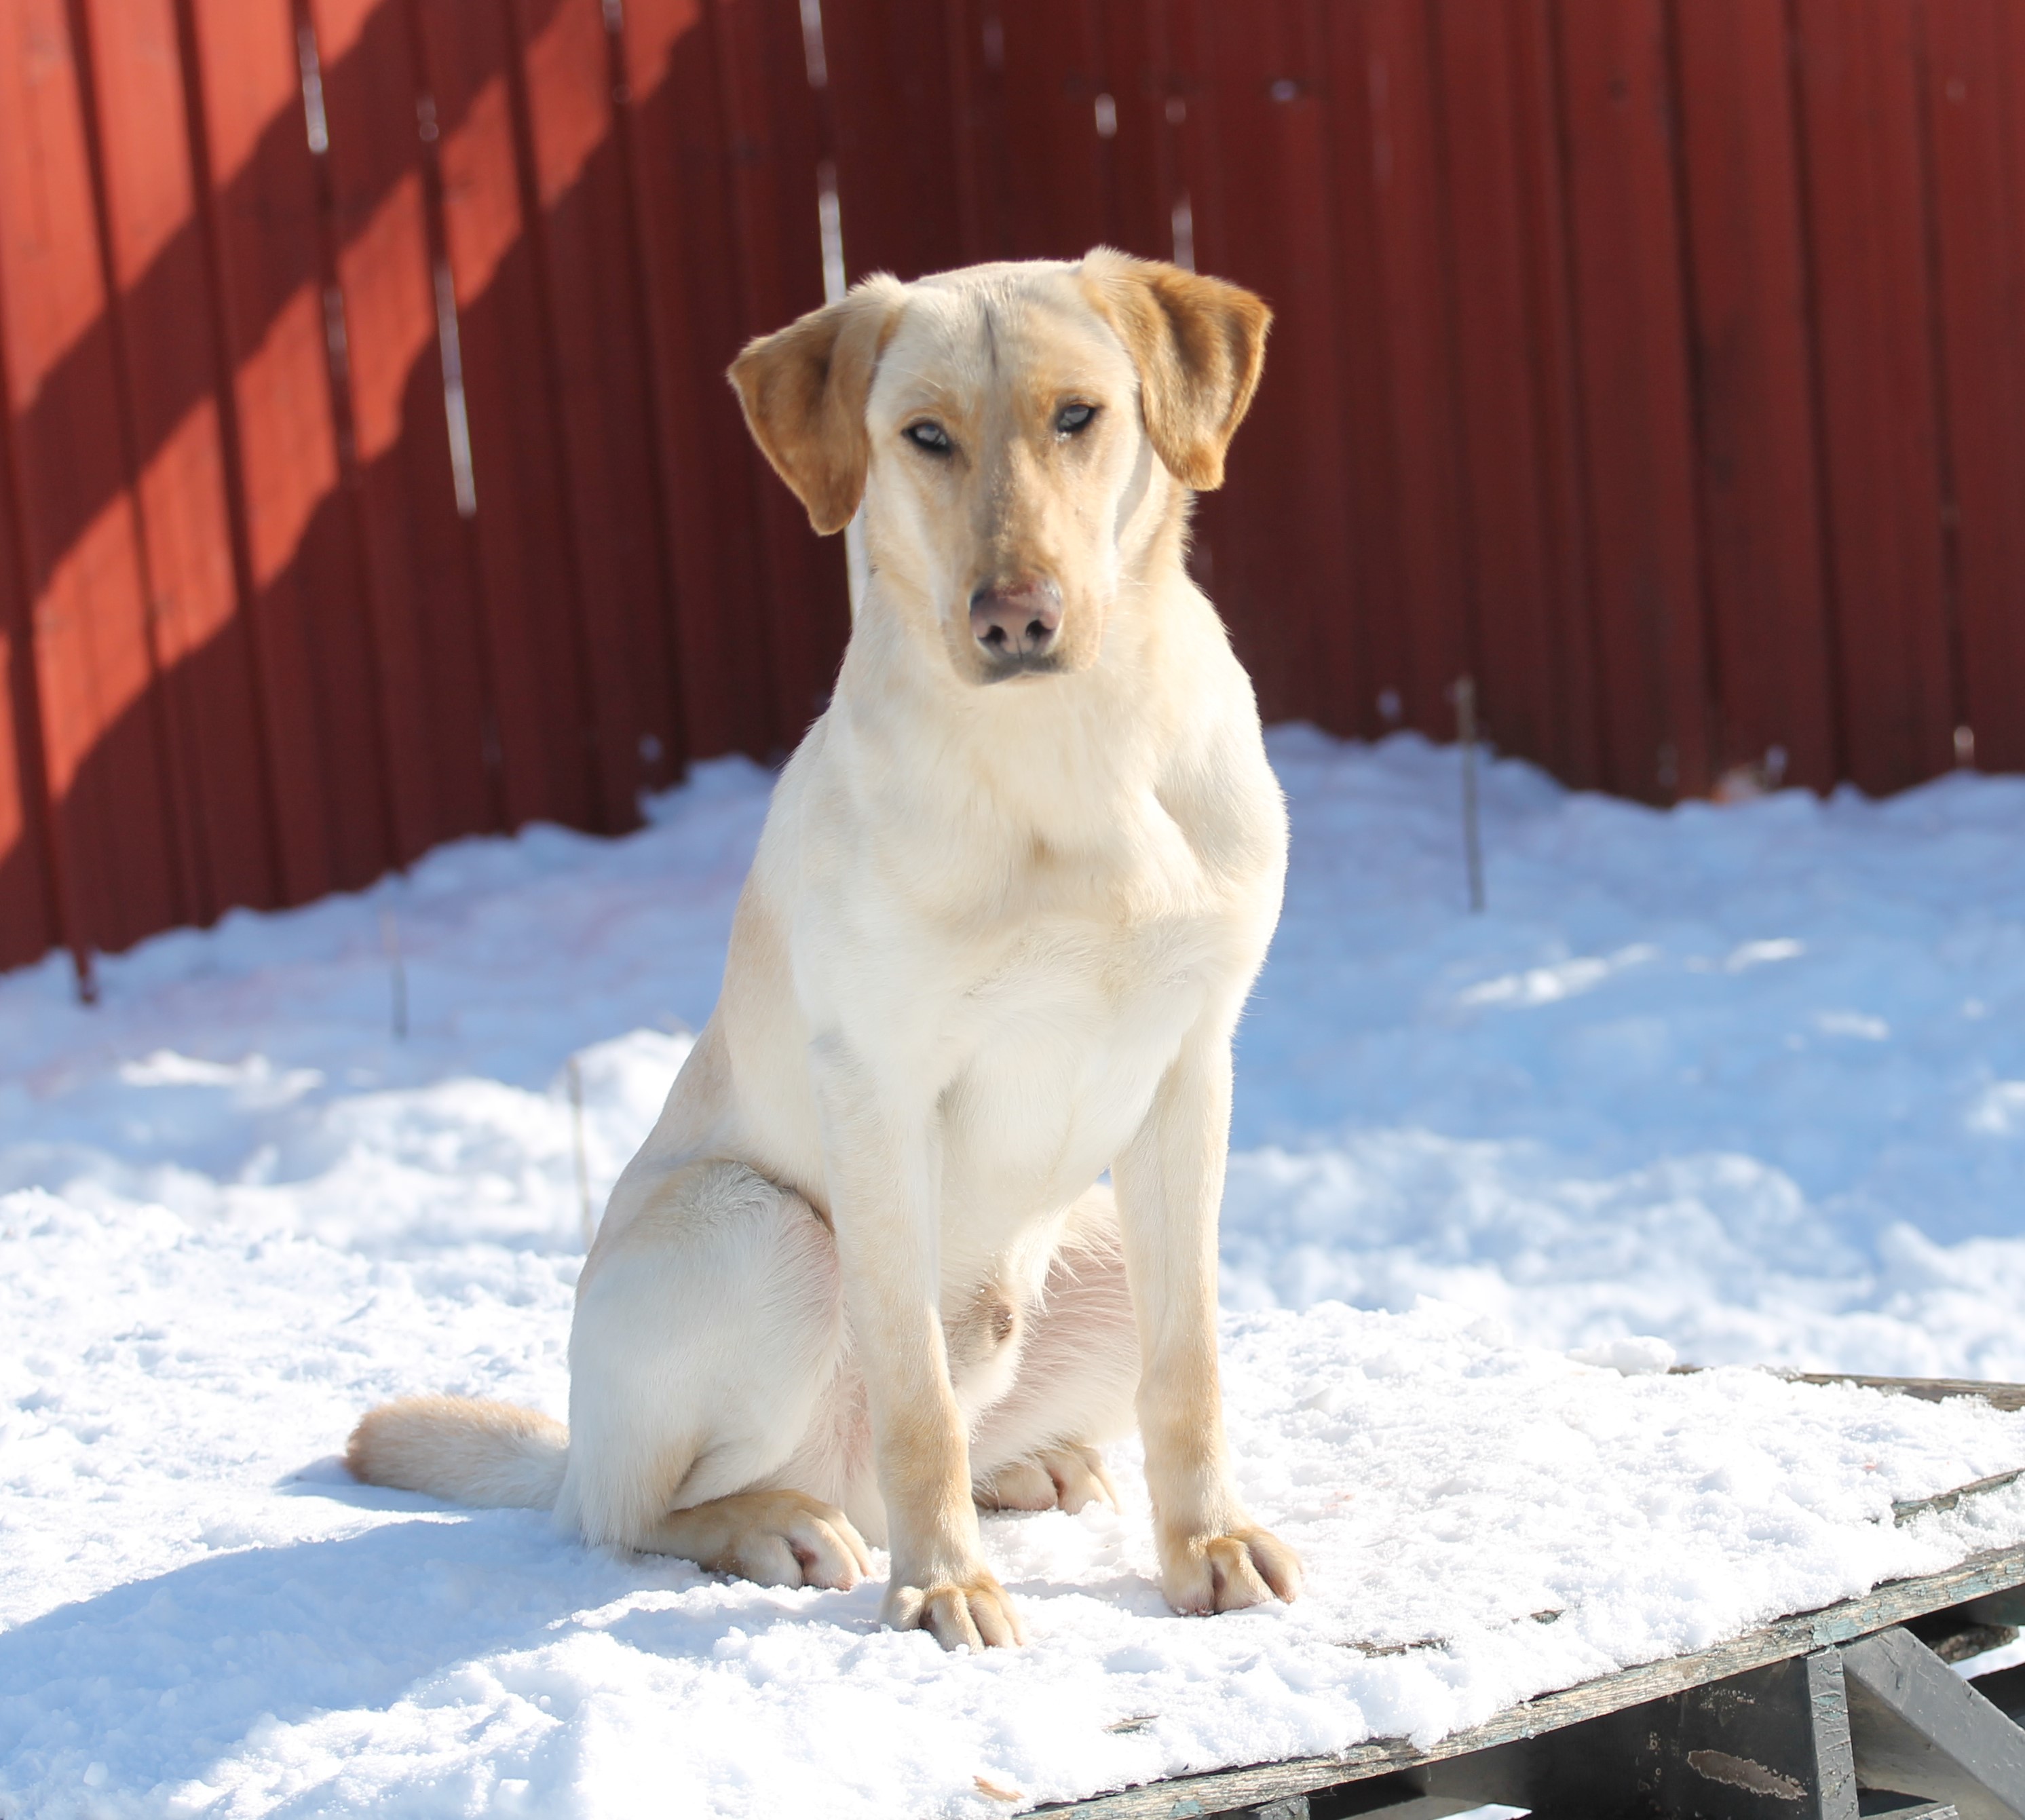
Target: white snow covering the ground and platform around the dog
[(1743, 1080)]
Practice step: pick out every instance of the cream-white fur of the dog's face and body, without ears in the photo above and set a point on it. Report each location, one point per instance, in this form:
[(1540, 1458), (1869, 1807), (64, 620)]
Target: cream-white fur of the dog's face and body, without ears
[(993, 944)]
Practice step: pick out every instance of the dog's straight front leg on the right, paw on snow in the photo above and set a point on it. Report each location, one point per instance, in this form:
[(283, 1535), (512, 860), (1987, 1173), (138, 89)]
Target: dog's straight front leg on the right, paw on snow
[(1214, 1558)]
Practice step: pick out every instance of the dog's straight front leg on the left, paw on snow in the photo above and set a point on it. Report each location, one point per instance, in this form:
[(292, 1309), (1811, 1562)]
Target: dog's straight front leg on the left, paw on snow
[(886, 1187)]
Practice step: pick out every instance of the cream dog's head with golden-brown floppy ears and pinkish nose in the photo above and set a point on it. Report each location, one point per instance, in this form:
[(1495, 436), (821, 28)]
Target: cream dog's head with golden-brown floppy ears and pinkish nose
[(1022, 436)]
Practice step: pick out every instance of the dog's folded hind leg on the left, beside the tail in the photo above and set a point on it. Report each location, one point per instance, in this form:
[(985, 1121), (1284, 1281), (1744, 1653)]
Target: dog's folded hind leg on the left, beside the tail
[(712, 1398)]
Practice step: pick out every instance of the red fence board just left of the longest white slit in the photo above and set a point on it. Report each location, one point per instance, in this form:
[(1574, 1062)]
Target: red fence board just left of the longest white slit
[(398, 448)]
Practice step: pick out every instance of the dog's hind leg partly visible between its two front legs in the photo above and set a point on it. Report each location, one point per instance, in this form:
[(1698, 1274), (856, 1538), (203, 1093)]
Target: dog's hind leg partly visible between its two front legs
[(1078, 1372)]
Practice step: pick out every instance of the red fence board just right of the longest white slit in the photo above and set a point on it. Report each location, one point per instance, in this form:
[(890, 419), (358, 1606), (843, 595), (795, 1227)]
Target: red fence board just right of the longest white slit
[(528, 576)]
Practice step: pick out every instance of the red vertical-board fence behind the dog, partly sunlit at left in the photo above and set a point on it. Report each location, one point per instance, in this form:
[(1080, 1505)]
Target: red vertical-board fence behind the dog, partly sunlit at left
[(370, 475)]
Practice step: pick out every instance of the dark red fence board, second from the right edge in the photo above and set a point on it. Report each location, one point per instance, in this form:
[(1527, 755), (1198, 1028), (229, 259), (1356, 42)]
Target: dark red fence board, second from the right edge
[(1874, 323)]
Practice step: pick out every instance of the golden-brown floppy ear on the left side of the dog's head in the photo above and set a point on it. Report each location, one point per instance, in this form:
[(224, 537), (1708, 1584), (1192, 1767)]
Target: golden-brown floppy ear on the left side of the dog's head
[(805, 398)]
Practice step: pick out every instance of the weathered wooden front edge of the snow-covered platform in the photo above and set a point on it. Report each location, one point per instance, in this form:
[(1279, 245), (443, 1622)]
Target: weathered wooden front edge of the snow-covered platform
[(1894, 1602)]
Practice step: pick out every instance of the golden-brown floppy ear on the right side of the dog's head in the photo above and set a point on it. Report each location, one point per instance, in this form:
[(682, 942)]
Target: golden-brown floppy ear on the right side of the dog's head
[(1200, 347)]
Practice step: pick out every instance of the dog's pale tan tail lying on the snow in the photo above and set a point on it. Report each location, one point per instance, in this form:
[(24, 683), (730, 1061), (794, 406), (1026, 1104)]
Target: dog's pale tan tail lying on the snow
[(463, 1451)]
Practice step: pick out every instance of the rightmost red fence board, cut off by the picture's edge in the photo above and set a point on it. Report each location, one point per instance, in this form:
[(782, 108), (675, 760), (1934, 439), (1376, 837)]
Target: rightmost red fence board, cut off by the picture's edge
[(1975, 104)]
